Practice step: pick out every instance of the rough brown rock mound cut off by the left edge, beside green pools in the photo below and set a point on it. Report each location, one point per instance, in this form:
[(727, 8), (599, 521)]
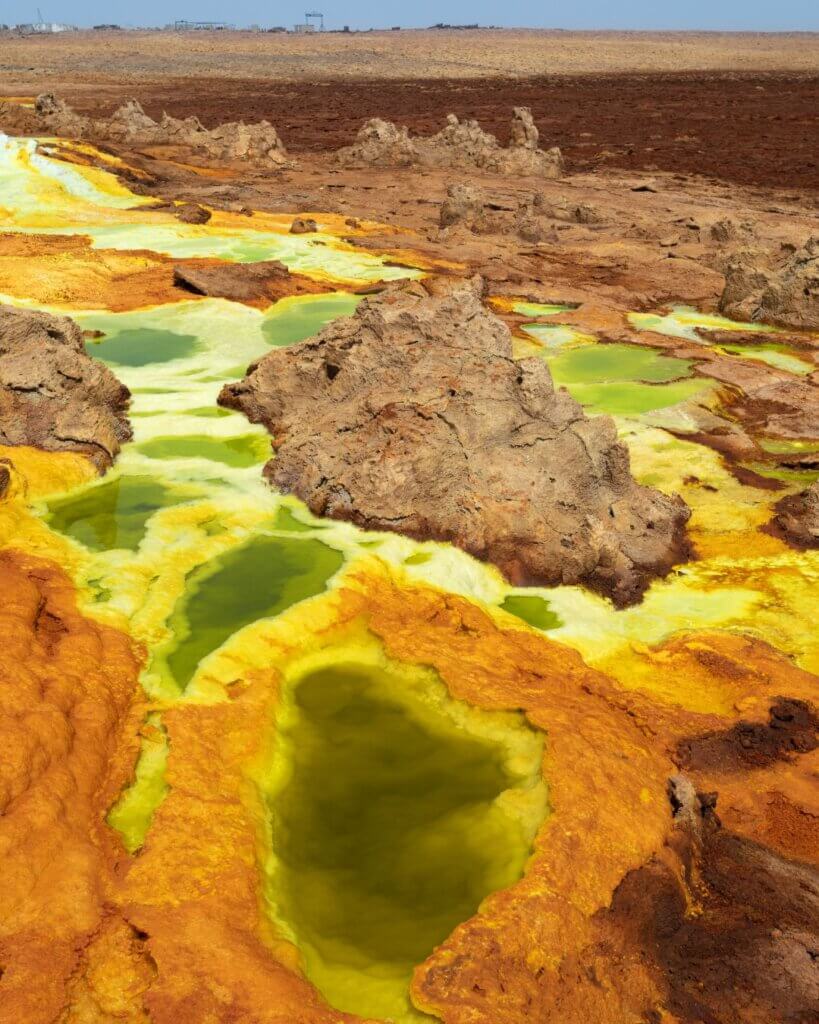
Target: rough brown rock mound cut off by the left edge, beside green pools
[(53, 395)]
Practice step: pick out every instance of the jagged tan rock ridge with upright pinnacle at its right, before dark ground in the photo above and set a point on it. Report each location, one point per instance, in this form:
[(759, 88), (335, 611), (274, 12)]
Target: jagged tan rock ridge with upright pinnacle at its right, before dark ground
[(460, 145)]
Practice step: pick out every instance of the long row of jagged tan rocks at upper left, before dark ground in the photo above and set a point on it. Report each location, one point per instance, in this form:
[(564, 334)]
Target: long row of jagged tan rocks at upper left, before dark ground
[(256, 144)]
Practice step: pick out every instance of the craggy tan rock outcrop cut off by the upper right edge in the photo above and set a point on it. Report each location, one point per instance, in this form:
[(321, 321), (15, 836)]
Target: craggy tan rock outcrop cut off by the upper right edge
[(784, 291)]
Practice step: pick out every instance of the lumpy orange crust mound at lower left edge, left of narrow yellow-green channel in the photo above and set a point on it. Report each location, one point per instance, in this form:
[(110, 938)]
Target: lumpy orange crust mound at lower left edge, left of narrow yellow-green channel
[(69, 708)]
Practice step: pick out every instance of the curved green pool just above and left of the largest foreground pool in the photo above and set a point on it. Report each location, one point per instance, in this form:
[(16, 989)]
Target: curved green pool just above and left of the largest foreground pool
[(253, 582)]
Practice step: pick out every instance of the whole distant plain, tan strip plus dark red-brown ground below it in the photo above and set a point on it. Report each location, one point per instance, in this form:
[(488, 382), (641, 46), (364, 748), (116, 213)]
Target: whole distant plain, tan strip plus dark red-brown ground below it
[(738, 107)]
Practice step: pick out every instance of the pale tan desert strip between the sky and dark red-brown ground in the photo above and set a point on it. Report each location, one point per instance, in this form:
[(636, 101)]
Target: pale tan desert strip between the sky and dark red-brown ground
[(409, 54)]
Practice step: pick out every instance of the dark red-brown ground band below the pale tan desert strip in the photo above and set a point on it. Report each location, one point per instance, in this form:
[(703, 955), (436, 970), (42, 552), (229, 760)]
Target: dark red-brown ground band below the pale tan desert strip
[(757, 130)]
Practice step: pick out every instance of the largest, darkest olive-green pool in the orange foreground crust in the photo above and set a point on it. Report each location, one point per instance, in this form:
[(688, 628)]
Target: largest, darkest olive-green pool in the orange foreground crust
[(389, 831)]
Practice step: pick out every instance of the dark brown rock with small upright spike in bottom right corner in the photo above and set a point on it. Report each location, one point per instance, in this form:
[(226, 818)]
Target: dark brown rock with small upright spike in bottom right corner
[(754, 932)]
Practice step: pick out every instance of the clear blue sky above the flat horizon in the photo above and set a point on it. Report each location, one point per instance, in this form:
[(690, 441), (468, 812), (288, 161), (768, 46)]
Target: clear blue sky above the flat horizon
[(759, 16)]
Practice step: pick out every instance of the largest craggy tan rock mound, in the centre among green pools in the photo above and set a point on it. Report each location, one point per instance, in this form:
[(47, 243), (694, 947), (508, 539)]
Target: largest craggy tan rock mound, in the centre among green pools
[(413, 416)]
